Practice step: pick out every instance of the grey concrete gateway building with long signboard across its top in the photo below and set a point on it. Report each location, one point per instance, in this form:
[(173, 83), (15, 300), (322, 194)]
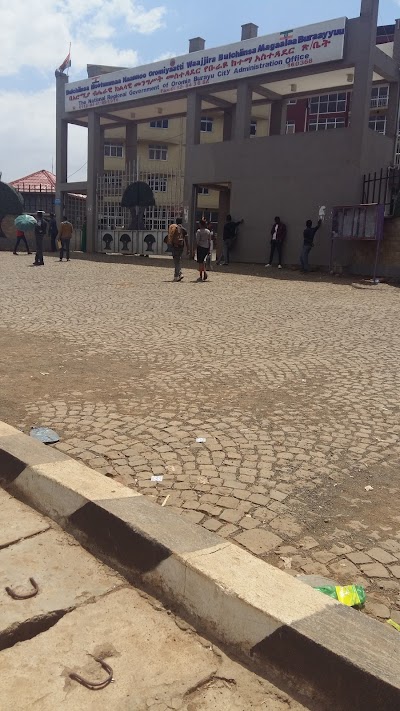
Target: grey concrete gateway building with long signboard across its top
[(256, 174)]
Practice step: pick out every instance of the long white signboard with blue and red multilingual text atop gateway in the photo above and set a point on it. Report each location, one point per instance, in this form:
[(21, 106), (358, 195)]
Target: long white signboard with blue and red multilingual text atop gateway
[(292, 49)]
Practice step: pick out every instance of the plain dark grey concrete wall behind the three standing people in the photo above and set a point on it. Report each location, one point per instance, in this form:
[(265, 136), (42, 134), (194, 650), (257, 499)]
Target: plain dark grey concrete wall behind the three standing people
[(290, 176)]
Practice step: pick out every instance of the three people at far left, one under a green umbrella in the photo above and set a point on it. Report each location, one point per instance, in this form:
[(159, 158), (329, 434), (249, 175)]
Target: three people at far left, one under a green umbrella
[(60, 237)]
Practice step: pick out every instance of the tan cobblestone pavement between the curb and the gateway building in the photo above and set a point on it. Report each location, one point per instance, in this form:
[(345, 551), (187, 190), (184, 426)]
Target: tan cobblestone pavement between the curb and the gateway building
[(293, 382)]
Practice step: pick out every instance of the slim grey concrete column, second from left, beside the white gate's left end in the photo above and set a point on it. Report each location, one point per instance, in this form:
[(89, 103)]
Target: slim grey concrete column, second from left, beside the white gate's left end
[(92, 172)]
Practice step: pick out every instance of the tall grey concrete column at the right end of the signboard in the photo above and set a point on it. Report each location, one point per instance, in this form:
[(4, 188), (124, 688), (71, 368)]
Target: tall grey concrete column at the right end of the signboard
[(364, 67)]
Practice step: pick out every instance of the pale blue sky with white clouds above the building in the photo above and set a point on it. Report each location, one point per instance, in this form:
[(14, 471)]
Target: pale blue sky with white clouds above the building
[(35, 38)]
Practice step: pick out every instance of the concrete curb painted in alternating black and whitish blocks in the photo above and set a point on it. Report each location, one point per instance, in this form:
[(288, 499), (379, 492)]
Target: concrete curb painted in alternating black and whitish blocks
[(332, 655)]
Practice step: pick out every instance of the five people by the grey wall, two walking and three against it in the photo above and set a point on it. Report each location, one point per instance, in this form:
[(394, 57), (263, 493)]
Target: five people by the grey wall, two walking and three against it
[(178, 240)]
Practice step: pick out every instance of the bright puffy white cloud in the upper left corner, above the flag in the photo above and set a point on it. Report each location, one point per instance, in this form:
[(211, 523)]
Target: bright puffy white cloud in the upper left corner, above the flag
[(38, 34)]
